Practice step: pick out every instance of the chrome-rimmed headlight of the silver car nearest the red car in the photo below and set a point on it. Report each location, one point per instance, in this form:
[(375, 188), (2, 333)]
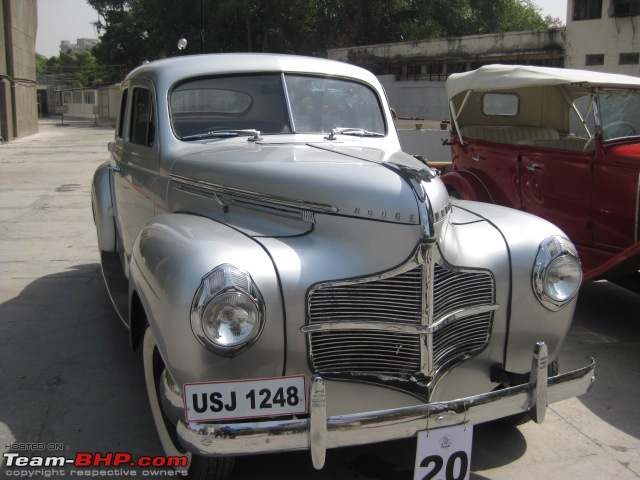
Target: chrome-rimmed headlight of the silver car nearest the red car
[(557, 273)]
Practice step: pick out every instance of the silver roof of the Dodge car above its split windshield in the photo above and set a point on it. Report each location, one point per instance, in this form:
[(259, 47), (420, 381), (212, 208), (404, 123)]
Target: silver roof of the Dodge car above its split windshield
[(171, 70)]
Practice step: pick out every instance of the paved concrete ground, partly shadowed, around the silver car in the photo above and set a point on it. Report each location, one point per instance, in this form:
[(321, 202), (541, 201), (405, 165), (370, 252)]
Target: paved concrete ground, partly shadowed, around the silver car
[(69, 382)]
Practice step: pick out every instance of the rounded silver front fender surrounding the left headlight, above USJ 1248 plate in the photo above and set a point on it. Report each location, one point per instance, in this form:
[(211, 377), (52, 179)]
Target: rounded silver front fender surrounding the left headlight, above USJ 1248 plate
[(171, 255)]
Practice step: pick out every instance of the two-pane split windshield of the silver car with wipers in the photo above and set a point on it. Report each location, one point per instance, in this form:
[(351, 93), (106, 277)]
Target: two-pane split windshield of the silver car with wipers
[(221, 107)]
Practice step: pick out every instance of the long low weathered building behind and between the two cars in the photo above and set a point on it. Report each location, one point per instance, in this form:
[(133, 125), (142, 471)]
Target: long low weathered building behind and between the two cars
[(413, 73)]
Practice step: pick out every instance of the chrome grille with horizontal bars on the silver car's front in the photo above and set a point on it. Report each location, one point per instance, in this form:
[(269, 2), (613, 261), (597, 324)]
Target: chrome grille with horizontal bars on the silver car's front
[(398, 300)]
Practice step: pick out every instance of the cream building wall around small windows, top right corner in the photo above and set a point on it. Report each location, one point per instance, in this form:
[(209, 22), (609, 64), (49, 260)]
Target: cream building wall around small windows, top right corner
[(604, 36)]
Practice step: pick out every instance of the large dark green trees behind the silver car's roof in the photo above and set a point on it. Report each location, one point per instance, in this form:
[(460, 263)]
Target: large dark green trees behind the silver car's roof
[(138, 30)]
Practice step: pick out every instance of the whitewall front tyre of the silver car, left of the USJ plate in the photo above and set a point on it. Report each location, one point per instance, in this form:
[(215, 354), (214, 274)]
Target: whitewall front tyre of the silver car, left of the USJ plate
[(199, 468)]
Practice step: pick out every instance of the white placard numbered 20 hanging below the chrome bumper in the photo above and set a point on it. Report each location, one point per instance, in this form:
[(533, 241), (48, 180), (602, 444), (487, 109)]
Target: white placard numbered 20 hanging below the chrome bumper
[(444, 453)]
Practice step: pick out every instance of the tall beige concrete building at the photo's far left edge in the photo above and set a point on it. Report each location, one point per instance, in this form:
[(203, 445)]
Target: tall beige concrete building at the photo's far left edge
[(18, 95)]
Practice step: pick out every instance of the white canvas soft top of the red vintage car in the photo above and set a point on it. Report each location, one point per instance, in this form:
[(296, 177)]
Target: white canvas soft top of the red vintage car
[(503, 77)]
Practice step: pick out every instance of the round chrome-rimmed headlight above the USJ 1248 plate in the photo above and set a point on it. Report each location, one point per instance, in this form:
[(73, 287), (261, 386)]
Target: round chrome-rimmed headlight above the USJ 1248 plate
[(228, 311)]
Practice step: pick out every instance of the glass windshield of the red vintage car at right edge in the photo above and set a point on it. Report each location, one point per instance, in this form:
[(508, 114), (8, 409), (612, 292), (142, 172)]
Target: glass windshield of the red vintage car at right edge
[(619, 113)]
